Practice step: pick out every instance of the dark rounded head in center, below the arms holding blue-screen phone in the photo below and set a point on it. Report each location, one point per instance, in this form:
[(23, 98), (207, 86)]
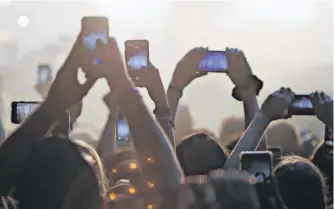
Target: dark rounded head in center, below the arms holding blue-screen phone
[(199, 153)]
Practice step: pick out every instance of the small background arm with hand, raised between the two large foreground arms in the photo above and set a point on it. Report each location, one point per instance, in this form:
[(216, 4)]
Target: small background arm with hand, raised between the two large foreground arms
[(107, 140)]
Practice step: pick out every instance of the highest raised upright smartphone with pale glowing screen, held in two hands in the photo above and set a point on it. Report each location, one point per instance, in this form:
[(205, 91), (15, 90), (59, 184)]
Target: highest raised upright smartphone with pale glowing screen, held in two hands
[(93, 29)]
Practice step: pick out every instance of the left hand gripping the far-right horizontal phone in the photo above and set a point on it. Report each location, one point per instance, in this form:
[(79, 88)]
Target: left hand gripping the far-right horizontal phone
[(276, 105)]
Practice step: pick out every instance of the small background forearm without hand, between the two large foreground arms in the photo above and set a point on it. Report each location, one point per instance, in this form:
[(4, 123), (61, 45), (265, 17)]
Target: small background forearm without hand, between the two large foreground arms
[(108, 138)]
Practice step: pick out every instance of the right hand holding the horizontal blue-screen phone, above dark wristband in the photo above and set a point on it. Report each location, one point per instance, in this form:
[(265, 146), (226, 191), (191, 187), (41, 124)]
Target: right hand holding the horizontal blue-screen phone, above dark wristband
[(239, 70)]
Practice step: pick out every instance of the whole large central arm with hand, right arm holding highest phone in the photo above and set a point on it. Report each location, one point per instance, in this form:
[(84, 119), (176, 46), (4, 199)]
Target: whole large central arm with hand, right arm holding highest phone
[(150, 142)]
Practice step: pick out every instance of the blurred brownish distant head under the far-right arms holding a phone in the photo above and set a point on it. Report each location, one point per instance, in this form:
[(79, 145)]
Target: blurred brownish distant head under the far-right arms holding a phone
[(284, 135)]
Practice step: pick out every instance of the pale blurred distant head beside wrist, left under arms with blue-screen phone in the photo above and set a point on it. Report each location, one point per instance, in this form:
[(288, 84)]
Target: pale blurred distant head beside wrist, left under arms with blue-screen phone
[(184, 123)]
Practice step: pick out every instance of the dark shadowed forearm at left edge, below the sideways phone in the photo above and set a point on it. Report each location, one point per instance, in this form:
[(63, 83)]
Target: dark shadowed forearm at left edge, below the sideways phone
[(15, 149)]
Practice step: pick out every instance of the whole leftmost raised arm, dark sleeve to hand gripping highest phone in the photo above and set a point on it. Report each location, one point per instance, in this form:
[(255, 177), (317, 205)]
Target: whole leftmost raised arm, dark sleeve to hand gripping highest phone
[(64, 93)]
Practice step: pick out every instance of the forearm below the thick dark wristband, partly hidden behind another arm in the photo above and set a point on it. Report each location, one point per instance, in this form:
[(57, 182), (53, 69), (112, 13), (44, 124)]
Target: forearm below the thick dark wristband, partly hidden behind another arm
[(251, 107)]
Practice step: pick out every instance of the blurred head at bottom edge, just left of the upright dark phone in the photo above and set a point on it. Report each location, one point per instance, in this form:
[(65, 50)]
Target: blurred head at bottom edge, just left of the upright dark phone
[(233, 190)]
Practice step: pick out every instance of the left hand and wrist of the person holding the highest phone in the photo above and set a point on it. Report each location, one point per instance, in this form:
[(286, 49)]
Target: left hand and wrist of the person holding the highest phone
[(66, 90)]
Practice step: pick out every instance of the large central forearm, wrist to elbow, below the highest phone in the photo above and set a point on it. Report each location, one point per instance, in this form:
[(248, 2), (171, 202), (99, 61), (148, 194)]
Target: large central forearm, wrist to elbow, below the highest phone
[(149, 140)]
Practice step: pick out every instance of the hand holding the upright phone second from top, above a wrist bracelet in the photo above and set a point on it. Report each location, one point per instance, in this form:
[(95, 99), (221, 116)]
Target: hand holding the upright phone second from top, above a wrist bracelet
[(151, 80)]
